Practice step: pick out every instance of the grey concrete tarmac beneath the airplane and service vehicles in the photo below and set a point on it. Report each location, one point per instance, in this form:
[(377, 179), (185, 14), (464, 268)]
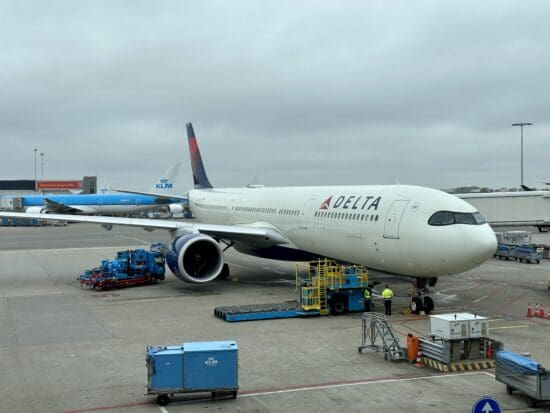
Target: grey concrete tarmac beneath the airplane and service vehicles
[(68, 349)]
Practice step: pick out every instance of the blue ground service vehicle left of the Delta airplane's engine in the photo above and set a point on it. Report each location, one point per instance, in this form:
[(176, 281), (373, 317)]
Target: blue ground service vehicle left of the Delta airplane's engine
[(130, 267)]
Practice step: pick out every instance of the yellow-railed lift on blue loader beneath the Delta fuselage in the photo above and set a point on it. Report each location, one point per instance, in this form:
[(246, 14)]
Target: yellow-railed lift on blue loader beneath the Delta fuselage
[(326, 286)]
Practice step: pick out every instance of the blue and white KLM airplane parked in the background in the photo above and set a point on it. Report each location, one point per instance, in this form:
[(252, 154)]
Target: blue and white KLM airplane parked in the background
[(109, 203)]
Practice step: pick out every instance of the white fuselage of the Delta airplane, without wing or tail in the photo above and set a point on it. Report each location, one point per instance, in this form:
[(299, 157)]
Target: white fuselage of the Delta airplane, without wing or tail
[(387, 227)]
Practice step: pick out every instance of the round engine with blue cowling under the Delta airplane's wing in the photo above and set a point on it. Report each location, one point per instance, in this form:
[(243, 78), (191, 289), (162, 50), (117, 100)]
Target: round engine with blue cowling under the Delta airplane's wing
[(195, 258)]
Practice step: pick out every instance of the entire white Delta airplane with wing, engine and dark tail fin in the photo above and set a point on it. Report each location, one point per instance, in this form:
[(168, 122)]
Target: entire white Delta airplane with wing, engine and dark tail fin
[(410, 231)]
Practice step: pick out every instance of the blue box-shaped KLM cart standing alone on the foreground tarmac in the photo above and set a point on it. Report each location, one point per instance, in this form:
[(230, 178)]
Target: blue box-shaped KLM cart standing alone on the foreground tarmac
[(210, 366)]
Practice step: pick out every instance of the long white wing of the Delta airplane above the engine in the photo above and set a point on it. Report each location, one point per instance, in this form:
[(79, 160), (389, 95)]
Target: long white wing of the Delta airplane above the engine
[(260, 236)]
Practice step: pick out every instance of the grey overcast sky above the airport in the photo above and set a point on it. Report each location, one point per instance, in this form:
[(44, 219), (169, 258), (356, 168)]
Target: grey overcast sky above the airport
[(299, 92)]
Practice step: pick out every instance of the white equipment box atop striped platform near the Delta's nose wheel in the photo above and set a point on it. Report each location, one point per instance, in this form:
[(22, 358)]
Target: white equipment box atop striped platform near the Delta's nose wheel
[(458, 326)]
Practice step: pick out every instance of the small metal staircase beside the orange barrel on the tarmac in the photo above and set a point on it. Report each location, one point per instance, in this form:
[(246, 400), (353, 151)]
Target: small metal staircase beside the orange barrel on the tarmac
[(378, 326)]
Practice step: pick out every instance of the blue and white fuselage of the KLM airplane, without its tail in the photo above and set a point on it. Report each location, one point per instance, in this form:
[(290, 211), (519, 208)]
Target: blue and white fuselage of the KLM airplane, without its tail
[(103, 204)]
